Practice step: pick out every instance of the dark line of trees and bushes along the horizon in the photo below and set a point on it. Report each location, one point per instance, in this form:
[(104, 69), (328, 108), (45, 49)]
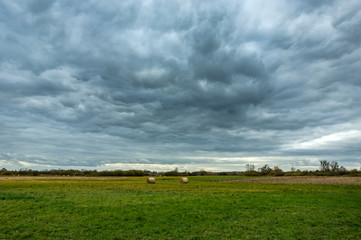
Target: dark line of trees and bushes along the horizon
[(326, 169)]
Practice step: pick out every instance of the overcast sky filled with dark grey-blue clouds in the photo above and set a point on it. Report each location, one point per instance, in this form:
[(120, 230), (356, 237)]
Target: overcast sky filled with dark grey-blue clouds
[(211, 85)]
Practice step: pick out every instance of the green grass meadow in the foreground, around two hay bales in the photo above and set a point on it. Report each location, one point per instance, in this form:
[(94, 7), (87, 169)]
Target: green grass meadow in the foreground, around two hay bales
[(203, 209)]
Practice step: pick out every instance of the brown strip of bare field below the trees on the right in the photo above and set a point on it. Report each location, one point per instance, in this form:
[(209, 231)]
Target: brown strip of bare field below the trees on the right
[(303, 180)]
